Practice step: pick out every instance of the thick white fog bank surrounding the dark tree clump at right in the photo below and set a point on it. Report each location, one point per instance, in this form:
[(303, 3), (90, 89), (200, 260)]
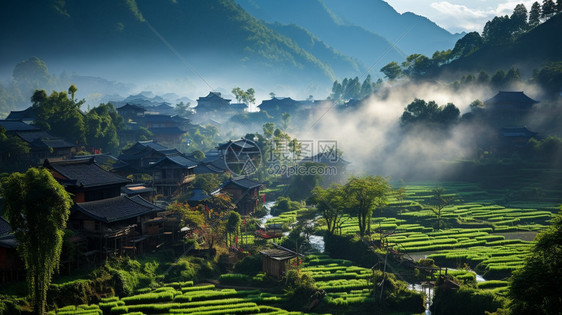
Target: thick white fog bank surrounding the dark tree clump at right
[(372, 139)]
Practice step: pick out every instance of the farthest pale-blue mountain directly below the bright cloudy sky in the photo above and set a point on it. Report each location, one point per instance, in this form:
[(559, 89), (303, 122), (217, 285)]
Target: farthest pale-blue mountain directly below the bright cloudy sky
[(411, 33)]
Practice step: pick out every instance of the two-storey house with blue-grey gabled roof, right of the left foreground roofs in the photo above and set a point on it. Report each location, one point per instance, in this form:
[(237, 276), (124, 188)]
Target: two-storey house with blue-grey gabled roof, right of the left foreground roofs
[(172, 173)]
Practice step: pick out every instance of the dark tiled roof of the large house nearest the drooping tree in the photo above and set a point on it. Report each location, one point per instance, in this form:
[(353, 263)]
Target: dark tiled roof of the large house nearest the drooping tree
[(116, 209)]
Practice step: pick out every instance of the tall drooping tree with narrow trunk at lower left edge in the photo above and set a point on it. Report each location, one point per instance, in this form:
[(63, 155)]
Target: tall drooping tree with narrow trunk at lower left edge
[(37, 207)]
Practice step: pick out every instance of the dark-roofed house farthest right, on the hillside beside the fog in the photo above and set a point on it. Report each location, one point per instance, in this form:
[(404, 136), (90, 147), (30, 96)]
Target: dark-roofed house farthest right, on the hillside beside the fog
[(508, 109)]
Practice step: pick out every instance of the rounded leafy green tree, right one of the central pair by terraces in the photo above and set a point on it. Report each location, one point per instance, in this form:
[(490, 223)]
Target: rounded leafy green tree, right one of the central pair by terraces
[(362, 197)]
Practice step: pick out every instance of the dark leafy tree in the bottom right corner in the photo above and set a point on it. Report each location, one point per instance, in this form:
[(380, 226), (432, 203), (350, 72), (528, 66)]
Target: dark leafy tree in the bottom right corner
[(535, 288)]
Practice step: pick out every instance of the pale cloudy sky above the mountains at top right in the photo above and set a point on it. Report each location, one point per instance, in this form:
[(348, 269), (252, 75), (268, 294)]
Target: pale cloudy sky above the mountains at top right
[(458, 16)]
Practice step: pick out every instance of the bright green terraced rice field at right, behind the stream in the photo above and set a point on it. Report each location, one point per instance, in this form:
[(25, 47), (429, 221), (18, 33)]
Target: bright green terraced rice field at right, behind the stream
[(475, 226)]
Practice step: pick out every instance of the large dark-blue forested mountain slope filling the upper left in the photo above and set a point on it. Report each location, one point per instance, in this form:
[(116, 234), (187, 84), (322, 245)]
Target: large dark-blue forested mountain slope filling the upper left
[(209, 43)]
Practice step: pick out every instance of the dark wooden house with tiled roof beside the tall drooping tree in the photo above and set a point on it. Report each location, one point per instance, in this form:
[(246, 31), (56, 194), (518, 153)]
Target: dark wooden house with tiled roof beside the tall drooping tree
[(115, 226)]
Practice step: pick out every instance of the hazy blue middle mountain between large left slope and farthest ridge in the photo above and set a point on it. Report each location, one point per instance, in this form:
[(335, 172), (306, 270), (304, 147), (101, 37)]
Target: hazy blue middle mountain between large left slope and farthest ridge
[(372, 49)]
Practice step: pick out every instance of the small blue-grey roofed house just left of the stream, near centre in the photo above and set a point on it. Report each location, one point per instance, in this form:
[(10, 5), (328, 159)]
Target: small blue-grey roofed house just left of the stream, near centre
[(245, 194)]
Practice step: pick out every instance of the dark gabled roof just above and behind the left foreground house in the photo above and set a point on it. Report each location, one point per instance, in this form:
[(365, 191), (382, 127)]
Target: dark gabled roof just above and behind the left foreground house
[(85, 173)]
